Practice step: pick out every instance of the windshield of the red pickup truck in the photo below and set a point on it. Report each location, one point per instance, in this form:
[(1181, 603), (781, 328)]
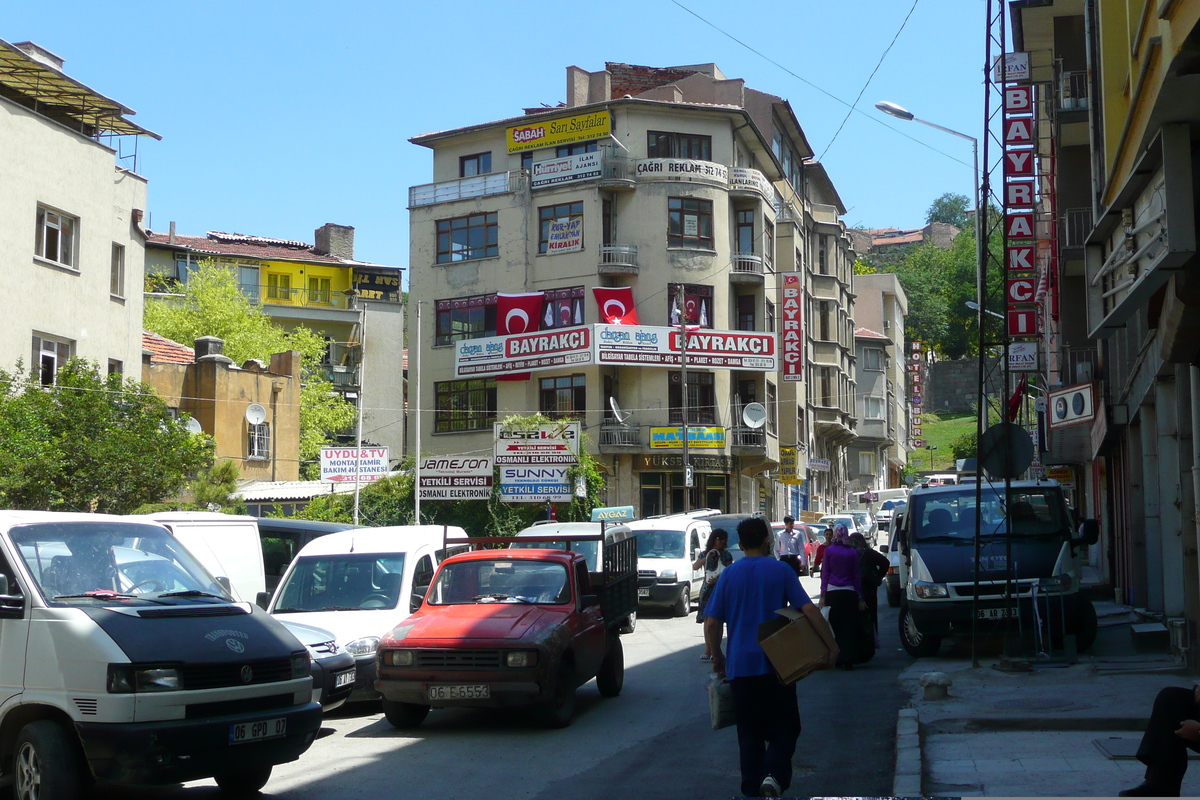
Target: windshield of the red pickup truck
[(501, 581)]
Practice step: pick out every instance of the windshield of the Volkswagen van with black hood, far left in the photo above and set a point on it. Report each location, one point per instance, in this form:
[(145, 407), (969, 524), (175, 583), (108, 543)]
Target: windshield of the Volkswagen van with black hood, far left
[(91, 563)]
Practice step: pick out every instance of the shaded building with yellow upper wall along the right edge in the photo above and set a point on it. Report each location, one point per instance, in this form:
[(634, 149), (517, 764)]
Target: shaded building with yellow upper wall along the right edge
[(1117, 139)]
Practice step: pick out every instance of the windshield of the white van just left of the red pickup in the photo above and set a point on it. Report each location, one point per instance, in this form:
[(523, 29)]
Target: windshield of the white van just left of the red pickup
[(343, 582)]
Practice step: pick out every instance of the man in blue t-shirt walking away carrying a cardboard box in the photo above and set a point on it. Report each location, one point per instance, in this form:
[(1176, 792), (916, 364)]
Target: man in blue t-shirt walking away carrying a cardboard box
[(767, 713)]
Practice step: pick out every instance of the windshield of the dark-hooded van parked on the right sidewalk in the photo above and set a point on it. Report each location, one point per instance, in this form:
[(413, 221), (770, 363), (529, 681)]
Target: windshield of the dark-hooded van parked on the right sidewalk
[(1033, 512)]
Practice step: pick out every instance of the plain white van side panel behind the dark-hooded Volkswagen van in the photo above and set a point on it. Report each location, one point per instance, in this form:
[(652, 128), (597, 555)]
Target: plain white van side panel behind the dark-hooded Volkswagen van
[(227, 545)]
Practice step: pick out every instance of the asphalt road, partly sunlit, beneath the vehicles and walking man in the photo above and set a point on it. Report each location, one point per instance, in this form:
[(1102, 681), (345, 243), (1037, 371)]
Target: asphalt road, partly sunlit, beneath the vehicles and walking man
[(655, 741)]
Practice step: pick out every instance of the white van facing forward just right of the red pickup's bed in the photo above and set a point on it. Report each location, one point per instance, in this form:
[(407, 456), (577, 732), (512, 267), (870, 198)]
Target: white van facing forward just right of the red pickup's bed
[(667, 550)]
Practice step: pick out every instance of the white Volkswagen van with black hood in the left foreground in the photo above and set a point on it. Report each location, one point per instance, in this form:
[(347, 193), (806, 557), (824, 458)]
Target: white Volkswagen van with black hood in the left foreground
[(123, 661)]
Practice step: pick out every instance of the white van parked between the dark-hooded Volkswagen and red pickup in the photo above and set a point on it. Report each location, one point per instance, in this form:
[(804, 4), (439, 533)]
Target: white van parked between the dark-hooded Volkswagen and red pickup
[(362, 584)]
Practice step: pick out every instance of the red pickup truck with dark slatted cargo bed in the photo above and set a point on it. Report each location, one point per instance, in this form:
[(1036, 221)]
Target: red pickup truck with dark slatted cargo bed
[(512, 628)]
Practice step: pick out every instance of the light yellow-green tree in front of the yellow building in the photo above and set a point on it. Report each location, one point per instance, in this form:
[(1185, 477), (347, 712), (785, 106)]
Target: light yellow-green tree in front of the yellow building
[(213, 305)]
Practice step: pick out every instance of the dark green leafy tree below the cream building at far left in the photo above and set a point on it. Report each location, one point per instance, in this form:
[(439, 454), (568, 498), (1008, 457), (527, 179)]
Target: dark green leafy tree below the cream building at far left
[(92, 443)]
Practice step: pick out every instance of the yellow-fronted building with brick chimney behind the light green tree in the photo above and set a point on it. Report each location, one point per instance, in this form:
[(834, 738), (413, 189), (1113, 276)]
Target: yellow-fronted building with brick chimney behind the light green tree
[(319, 286)]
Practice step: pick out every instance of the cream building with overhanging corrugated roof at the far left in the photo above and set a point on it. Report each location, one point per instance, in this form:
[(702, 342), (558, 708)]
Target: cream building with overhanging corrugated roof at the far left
[(70, 220)]
